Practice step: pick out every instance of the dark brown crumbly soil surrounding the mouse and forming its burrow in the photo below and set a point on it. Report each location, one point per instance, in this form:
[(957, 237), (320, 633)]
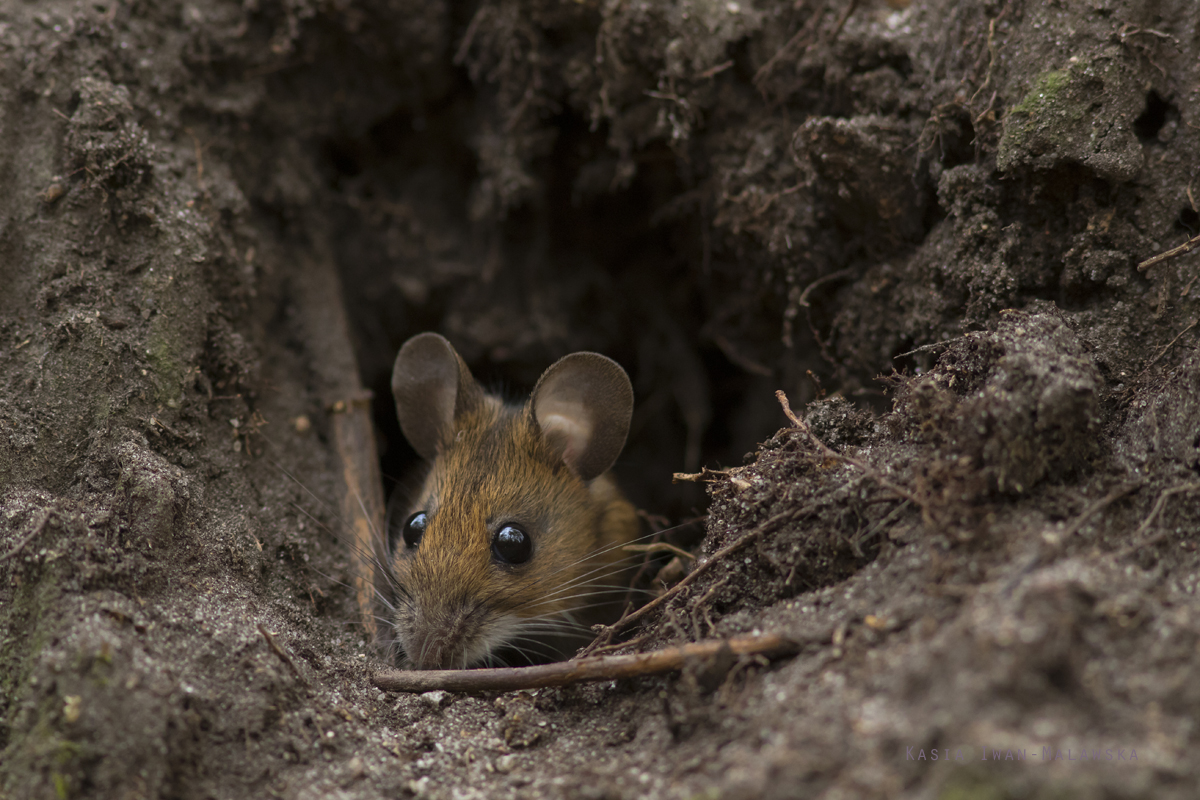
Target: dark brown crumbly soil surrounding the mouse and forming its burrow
[(922, 221)]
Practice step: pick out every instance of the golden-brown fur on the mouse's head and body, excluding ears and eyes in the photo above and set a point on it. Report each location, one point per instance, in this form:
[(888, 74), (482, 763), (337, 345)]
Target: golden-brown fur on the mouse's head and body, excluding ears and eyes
[(455, 605)]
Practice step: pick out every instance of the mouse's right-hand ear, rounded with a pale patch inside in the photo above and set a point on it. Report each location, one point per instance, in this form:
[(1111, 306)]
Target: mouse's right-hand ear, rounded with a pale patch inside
[(584, 404)]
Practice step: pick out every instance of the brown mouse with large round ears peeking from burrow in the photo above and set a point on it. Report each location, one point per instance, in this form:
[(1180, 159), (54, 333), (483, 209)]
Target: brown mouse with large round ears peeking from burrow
[(511, 550)]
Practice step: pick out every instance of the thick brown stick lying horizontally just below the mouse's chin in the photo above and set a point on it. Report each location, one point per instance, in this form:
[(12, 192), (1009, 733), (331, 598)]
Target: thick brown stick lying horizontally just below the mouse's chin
[(565, 673)]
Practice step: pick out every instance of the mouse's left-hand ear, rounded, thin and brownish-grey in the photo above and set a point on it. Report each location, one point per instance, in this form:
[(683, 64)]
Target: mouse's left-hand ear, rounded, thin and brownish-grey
[(433, 388)]
